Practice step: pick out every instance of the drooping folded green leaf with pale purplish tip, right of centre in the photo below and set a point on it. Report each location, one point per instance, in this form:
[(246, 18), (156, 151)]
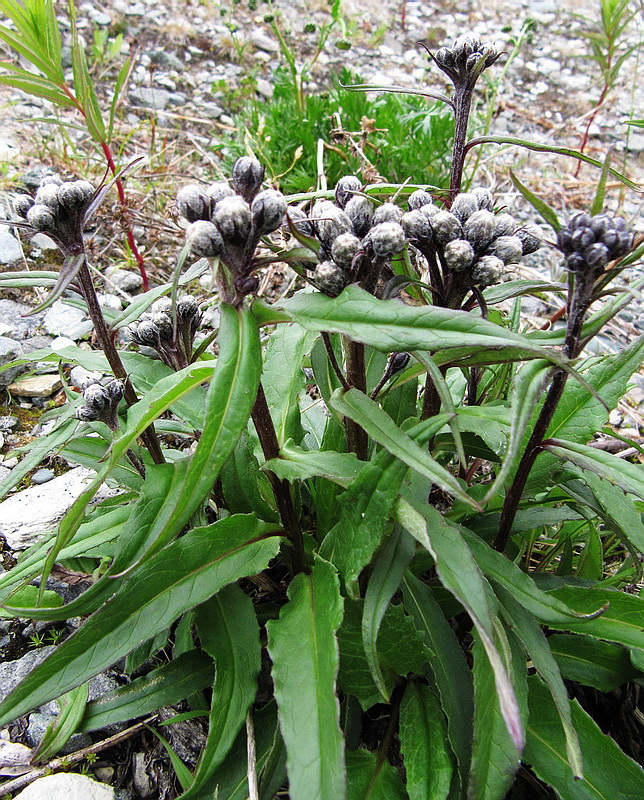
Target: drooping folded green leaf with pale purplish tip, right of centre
[(461, 576)]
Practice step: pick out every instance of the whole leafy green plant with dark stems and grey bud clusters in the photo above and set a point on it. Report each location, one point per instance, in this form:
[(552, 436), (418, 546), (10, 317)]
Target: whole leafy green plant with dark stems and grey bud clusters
[(379, 551)]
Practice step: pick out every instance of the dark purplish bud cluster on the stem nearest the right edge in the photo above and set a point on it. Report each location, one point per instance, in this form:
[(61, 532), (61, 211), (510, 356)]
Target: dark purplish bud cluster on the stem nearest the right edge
[(590, 243)]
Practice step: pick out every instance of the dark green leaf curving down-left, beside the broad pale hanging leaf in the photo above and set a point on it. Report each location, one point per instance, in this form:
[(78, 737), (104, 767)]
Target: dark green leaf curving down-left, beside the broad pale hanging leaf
[(229, 632)]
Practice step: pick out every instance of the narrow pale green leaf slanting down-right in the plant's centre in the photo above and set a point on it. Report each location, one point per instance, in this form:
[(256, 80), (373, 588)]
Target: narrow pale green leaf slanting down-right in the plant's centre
[(379, 425)]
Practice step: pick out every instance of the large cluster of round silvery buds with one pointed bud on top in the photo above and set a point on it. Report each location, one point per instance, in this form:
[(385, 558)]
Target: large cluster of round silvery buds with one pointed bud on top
[(228, 220)]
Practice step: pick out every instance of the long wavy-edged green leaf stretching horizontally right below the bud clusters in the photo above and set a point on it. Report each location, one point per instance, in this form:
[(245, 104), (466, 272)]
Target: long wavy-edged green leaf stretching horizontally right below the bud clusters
[(391, 326)]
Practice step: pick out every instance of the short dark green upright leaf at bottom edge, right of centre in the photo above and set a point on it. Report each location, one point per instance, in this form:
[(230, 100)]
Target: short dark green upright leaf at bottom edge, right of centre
[(423, 740)]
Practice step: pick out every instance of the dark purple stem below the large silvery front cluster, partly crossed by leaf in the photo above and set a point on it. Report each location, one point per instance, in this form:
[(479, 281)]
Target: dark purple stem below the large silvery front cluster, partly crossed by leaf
[(263, 422)]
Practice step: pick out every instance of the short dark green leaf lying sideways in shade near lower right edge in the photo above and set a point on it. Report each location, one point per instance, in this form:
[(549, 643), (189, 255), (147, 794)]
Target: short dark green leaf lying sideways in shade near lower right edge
[(602, 665)]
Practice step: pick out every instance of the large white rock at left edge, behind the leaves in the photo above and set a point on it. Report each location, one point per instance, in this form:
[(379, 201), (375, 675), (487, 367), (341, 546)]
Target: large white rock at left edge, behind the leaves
[(25, 516)]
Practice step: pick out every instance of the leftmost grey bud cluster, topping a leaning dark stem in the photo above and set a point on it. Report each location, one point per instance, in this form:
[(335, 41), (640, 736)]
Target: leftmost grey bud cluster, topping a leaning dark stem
[(58, 210)]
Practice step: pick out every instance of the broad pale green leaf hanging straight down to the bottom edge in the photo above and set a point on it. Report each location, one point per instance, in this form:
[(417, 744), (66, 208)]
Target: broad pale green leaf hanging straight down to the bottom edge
[(304, 678)]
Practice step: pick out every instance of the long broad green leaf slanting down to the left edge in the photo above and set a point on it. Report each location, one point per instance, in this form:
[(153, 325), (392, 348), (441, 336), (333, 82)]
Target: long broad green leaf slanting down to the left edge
[(186, 573)]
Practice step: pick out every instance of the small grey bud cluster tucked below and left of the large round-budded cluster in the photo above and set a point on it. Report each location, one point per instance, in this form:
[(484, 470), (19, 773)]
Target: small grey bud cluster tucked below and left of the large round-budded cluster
[(171, 335)]
